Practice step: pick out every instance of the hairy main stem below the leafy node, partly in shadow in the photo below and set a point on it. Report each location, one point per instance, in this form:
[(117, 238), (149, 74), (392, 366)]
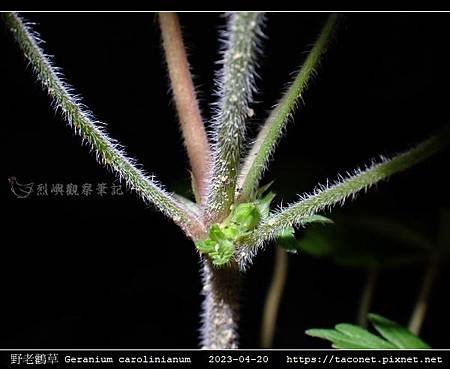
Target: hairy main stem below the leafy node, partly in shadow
[(220, 310)]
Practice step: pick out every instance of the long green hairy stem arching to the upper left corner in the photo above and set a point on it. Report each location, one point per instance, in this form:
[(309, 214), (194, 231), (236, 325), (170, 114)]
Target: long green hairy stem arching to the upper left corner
[(107, 151)]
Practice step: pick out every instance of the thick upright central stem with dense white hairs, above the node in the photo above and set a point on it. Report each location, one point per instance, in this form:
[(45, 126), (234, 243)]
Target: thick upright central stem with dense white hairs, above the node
[(235, 88)]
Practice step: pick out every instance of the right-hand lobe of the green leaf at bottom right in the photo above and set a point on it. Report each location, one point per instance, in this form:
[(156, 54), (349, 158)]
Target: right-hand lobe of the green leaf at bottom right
[(395, 333)]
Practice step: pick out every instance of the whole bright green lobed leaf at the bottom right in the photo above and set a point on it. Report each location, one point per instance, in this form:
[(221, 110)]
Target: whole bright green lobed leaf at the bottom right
[(349, 336)]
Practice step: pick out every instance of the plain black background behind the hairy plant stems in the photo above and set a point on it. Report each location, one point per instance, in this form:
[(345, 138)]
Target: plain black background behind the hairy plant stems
[(112, 273)]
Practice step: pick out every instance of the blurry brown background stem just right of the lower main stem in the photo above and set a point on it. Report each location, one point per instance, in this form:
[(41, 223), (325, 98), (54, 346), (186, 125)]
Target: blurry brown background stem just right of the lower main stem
[(273, 298)]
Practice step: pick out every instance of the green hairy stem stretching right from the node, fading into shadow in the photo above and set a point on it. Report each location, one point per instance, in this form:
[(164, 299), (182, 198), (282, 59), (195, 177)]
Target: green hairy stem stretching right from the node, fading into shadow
[(347, 186)]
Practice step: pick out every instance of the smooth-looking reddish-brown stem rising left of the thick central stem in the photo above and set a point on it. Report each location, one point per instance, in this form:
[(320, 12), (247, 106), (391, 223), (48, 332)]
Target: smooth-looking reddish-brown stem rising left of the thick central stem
[(191, 122)]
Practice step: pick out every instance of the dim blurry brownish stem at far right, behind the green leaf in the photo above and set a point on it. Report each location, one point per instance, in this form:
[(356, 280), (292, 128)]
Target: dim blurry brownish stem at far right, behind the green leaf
[(420, 308)]
